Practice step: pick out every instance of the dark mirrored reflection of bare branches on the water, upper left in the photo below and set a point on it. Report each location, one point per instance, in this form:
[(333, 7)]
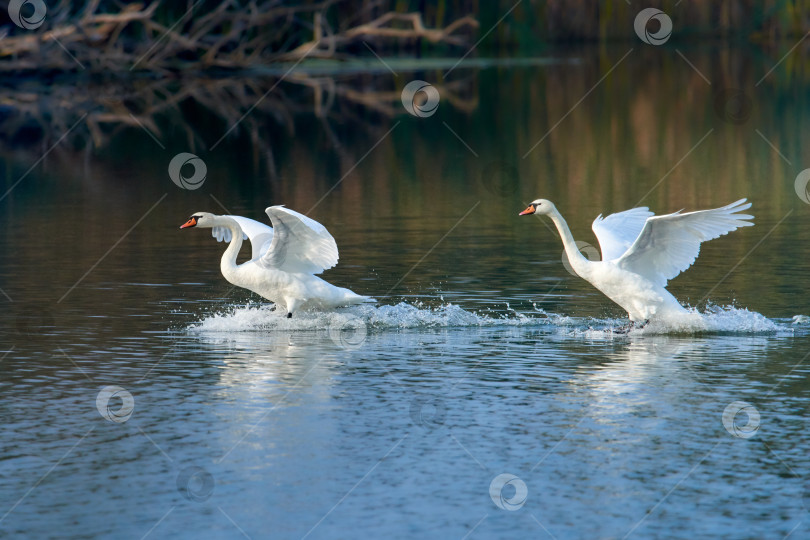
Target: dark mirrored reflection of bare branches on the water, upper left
[(92, 116)]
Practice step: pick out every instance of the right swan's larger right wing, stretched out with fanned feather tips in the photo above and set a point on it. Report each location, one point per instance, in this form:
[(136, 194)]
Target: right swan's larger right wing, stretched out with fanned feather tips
[(669, 244)]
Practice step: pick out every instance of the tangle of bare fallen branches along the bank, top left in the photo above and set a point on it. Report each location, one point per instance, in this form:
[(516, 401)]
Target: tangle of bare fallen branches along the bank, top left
[(231, 36)]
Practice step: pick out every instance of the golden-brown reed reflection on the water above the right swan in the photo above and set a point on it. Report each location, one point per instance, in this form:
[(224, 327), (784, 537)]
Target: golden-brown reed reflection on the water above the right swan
[(656, 108)]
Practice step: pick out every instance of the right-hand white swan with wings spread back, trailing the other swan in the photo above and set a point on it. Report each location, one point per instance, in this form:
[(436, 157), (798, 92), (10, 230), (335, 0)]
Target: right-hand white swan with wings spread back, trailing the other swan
[(642, 251)]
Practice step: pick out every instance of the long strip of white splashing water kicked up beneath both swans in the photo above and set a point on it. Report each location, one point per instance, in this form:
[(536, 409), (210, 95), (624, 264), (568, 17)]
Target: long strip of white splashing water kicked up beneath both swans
[(262, 318)]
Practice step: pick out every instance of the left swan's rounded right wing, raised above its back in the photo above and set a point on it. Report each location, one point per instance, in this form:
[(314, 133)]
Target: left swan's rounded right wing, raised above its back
[(300, 244)]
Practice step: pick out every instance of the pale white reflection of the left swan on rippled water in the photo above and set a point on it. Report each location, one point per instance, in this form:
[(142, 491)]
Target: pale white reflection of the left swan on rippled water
[(263, 380)]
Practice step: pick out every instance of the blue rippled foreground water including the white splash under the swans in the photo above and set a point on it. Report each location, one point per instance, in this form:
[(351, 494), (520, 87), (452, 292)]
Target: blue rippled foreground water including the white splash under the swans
[(397, 427)]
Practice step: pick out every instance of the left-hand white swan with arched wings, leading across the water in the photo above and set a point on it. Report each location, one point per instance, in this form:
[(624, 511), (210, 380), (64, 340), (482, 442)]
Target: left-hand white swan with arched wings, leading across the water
[(284, 258)]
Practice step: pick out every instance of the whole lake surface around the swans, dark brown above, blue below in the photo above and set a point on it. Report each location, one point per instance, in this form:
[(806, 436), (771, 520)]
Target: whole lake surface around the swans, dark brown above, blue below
[(484, 357)]
